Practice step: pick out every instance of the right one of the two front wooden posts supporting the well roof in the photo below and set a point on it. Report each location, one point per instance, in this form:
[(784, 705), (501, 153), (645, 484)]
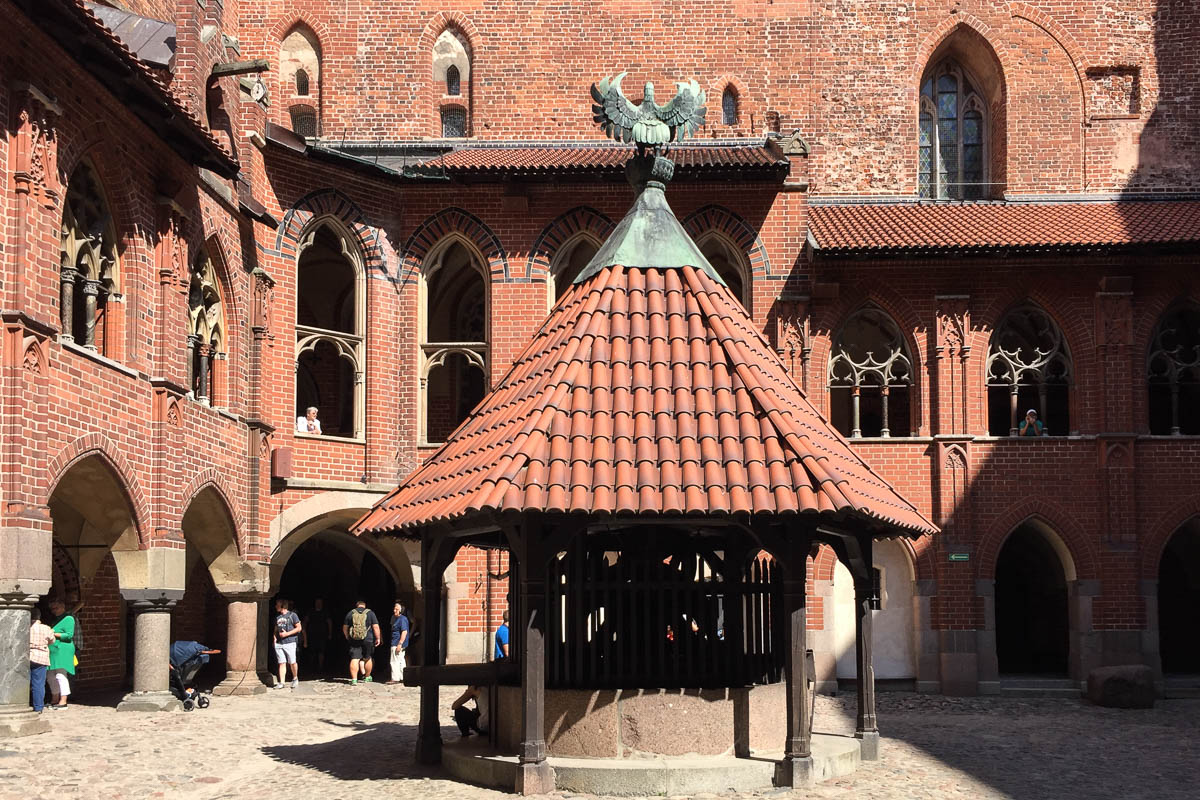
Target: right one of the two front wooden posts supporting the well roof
[(796, 769)]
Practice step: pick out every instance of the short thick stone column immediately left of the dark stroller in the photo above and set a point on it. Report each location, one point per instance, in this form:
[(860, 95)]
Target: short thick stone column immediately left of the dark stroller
[(152, 651)]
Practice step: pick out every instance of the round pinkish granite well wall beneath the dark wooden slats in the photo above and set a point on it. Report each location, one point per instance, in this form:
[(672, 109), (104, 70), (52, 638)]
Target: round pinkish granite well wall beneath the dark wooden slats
[(637, 724)]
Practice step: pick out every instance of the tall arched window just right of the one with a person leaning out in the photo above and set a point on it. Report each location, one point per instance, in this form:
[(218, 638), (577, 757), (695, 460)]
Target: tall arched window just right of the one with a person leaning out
[(454, 339)]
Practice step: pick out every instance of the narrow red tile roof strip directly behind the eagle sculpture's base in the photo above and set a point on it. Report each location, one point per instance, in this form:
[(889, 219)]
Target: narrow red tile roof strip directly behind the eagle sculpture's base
[(599, 157)]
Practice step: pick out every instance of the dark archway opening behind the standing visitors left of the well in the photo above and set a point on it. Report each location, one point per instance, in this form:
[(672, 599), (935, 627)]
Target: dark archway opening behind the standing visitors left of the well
[(333, 566)]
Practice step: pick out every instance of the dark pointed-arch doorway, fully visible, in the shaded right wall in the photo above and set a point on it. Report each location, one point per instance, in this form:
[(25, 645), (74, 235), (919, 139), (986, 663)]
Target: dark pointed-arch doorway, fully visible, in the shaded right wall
[(1033, 628)]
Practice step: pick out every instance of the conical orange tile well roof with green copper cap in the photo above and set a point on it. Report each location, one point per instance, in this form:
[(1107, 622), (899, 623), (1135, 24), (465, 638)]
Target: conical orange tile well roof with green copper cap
[(649, 392)]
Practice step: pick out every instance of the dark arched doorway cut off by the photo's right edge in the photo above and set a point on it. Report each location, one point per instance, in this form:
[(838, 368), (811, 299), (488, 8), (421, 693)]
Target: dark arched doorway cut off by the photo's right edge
[(1179, 585)]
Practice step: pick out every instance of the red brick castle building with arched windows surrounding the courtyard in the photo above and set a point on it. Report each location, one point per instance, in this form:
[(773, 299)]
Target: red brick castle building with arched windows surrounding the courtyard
[(941, 214)]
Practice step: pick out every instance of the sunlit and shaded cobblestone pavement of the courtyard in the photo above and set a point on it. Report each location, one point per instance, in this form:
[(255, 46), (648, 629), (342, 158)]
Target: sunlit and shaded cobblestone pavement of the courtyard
[(331, 741)]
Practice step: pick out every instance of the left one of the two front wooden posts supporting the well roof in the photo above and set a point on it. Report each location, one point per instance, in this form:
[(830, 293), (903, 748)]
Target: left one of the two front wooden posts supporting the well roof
[(535, 775)]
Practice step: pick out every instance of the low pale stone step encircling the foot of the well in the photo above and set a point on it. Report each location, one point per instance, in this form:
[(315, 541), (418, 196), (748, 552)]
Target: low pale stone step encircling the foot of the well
[(471, 761)]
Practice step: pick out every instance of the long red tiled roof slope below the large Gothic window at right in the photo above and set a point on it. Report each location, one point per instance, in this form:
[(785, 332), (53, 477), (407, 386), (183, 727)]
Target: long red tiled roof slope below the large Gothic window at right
[(901, 228)]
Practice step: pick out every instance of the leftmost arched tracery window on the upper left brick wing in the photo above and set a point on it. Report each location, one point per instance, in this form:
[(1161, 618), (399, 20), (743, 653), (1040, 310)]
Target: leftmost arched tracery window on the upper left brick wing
[(88, 262)]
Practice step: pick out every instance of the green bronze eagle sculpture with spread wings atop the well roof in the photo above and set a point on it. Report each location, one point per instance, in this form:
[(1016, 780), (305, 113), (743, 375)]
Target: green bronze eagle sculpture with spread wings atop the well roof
[(647, 125)]
